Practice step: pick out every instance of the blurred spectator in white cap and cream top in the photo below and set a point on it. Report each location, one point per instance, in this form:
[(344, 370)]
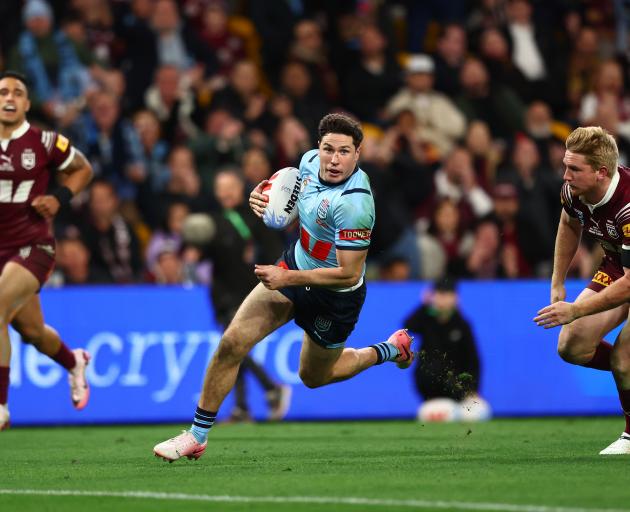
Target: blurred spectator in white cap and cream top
[(440, 123)]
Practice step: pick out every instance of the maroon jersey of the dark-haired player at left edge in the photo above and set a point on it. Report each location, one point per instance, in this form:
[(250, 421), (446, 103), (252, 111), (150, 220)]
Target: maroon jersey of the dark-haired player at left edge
[(27, 161)]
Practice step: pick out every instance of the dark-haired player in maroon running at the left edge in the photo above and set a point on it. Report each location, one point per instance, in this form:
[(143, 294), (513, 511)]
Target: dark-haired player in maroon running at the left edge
[(29, 159)]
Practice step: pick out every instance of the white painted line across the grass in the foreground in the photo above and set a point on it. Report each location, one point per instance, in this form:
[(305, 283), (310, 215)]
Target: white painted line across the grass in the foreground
[(420, 504)]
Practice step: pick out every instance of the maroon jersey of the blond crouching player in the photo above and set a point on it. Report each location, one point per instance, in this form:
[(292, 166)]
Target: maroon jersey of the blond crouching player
[(608, 221)]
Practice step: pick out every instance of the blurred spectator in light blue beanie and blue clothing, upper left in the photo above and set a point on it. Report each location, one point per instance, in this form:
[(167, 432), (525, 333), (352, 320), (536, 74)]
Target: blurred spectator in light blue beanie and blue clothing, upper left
[(49, 60)]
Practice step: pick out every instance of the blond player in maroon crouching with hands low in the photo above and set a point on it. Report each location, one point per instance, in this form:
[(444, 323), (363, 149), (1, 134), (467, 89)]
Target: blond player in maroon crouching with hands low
[(596, 200)]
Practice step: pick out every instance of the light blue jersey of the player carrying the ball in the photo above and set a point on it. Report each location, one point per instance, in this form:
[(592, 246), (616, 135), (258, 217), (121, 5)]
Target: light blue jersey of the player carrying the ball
[(332, 216)]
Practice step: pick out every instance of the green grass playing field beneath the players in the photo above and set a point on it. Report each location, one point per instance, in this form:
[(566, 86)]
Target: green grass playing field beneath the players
[(529, 465)]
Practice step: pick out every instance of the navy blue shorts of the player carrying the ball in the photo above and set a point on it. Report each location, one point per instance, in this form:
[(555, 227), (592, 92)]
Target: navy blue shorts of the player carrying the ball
[(328, 317)]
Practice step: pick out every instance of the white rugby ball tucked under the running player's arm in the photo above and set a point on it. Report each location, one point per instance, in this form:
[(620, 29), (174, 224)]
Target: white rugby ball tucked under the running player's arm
[(282, 190)]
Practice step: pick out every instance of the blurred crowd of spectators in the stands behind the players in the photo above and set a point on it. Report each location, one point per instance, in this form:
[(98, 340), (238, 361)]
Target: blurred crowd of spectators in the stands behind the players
[(465, 106)]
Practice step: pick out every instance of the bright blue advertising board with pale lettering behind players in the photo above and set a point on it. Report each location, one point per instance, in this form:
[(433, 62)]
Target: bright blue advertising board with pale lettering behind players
[(150, 347)]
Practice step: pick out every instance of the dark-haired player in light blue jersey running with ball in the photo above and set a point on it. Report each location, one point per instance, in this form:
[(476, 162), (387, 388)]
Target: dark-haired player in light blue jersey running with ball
[(319, 282)]
